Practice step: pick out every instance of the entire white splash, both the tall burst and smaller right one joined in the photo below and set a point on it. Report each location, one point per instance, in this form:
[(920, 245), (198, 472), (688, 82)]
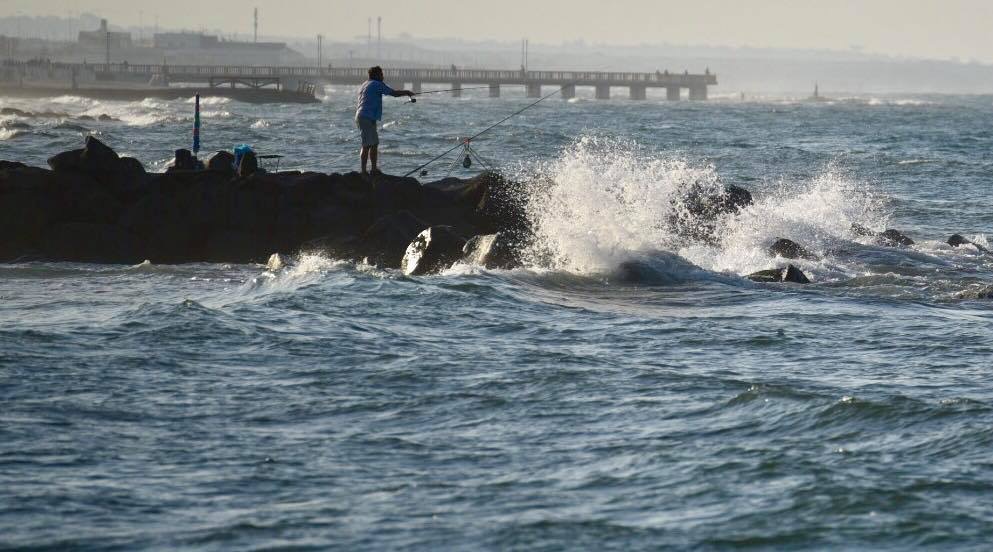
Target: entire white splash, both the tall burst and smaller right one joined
[(603, 202)]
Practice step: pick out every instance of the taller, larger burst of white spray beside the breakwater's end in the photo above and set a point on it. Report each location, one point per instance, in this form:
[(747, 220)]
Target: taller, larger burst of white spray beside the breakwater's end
[(605, 200)]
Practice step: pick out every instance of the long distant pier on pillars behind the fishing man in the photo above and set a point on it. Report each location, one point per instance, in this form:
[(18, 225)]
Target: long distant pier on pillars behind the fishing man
[(291, 78)]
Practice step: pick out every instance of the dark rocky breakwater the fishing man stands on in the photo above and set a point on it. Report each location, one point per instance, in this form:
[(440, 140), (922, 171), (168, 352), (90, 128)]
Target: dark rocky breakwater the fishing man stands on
[(92, 205)]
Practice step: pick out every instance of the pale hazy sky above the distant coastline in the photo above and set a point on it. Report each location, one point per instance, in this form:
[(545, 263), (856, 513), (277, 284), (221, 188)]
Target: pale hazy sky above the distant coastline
[(916, 28)]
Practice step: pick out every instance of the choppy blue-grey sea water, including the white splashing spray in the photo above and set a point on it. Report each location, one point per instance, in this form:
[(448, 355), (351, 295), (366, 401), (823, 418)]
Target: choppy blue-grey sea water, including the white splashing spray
[(630, 391)]
